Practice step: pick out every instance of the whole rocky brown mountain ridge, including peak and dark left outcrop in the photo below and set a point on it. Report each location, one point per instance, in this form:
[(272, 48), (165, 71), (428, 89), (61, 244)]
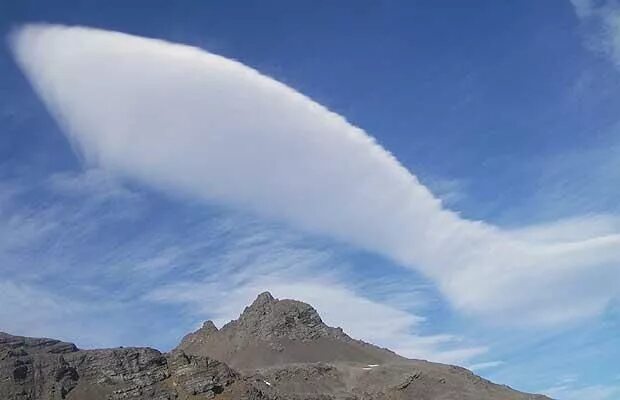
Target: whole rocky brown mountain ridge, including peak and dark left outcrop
[(275, 350)]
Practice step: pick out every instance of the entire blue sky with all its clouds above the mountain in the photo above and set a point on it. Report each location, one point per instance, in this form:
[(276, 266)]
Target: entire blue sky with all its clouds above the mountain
[(439, 178)]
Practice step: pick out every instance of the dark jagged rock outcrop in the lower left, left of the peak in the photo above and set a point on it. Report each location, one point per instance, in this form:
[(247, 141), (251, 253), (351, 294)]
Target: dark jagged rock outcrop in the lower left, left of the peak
[(45, 369)]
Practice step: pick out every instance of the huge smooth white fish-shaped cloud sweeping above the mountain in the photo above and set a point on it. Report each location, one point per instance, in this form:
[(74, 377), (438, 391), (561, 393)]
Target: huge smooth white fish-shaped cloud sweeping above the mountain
[(188, 121)]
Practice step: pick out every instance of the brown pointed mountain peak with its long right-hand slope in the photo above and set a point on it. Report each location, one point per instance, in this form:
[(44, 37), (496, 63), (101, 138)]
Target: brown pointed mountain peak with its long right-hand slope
[(285, 343)]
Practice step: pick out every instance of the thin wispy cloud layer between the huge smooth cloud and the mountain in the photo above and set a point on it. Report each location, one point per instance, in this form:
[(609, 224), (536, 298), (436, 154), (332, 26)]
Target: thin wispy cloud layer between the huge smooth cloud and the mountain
[(105, 292)]
